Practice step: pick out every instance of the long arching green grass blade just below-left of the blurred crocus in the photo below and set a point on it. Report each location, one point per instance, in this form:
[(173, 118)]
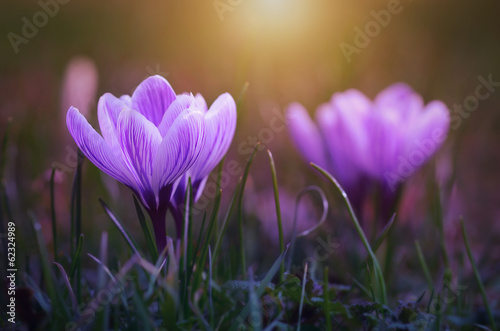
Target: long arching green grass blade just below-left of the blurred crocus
[(379, 277)]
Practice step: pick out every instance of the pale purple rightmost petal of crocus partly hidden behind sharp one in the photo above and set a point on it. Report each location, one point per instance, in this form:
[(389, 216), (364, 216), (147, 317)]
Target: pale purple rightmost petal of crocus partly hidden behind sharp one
[(220, 122)]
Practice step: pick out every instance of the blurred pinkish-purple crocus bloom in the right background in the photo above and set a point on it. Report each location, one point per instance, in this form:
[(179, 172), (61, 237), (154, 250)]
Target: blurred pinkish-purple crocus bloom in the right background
[(361, 141)]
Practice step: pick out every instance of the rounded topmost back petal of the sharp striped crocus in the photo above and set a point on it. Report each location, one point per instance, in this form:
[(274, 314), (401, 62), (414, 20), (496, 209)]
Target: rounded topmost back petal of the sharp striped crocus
[(153, 97)]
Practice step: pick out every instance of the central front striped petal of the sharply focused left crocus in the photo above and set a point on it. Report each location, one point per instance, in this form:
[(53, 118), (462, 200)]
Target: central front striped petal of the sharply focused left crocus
[(139, 141)]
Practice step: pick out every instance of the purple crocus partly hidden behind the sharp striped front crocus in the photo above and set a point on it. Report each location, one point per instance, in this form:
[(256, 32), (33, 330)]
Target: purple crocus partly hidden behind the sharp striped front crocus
[(220, 121)]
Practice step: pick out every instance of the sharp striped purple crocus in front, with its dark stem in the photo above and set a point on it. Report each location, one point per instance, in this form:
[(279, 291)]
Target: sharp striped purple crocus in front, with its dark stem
[(149, 140)]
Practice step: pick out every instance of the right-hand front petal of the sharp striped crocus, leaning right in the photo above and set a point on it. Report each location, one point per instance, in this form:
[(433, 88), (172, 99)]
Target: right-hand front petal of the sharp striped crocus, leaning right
[(179, 149)]
